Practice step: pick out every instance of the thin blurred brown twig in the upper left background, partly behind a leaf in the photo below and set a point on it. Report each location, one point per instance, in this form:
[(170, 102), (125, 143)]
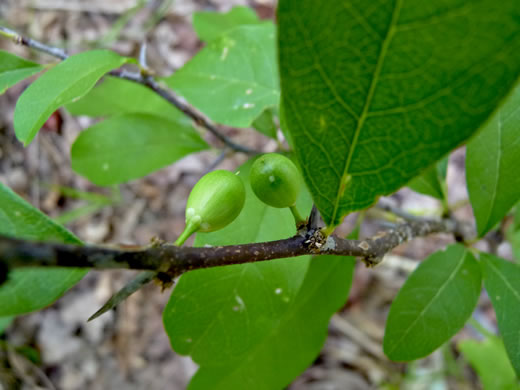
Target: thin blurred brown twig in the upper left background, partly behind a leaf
[(142, 78)]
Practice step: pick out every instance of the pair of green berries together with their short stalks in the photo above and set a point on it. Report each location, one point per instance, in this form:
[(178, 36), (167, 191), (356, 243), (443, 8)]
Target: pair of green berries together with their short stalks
[(218, 197)]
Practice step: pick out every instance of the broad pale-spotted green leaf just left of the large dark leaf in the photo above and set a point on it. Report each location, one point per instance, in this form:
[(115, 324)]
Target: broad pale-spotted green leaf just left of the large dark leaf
[(233, 79)]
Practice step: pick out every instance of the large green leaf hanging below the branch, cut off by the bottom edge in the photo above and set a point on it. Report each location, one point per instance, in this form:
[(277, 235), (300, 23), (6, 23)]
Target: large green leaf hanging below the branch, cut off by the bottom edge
[(293, 338)]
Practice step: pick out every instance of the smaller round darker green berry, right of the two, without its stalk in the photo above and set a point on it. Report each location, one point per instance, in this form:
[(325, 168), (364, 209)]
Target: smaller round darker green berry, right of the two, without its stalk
[(275, 180)]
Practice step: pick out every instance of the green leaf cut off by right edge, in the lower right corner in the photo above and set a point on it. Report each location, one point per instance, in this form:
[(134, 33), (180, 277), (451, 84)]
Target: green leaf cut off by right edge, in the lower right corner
[(502, 282)]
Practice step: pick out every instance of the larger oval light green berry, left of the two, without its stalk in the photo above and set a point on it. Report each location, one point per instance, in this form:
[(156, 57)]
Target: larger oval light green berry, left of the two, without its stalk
[(215, 201)]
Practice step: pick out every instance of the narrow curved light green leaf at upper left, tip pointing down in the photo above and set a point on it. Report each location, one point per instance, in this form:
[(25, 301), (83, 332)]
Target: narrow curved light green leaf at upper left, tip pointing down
[(66, 82)]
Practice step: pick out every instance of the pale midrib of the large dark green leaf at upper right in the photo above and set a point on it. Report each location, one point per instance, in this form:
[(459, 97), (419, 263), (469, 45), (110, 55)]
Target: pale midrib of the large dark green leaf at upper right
[(382, 54)]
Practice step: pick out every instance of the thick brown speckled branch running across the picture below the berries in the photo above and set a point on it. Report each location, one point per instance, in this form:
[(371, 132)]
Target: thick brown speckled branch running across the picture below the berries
[(173, 260)]
